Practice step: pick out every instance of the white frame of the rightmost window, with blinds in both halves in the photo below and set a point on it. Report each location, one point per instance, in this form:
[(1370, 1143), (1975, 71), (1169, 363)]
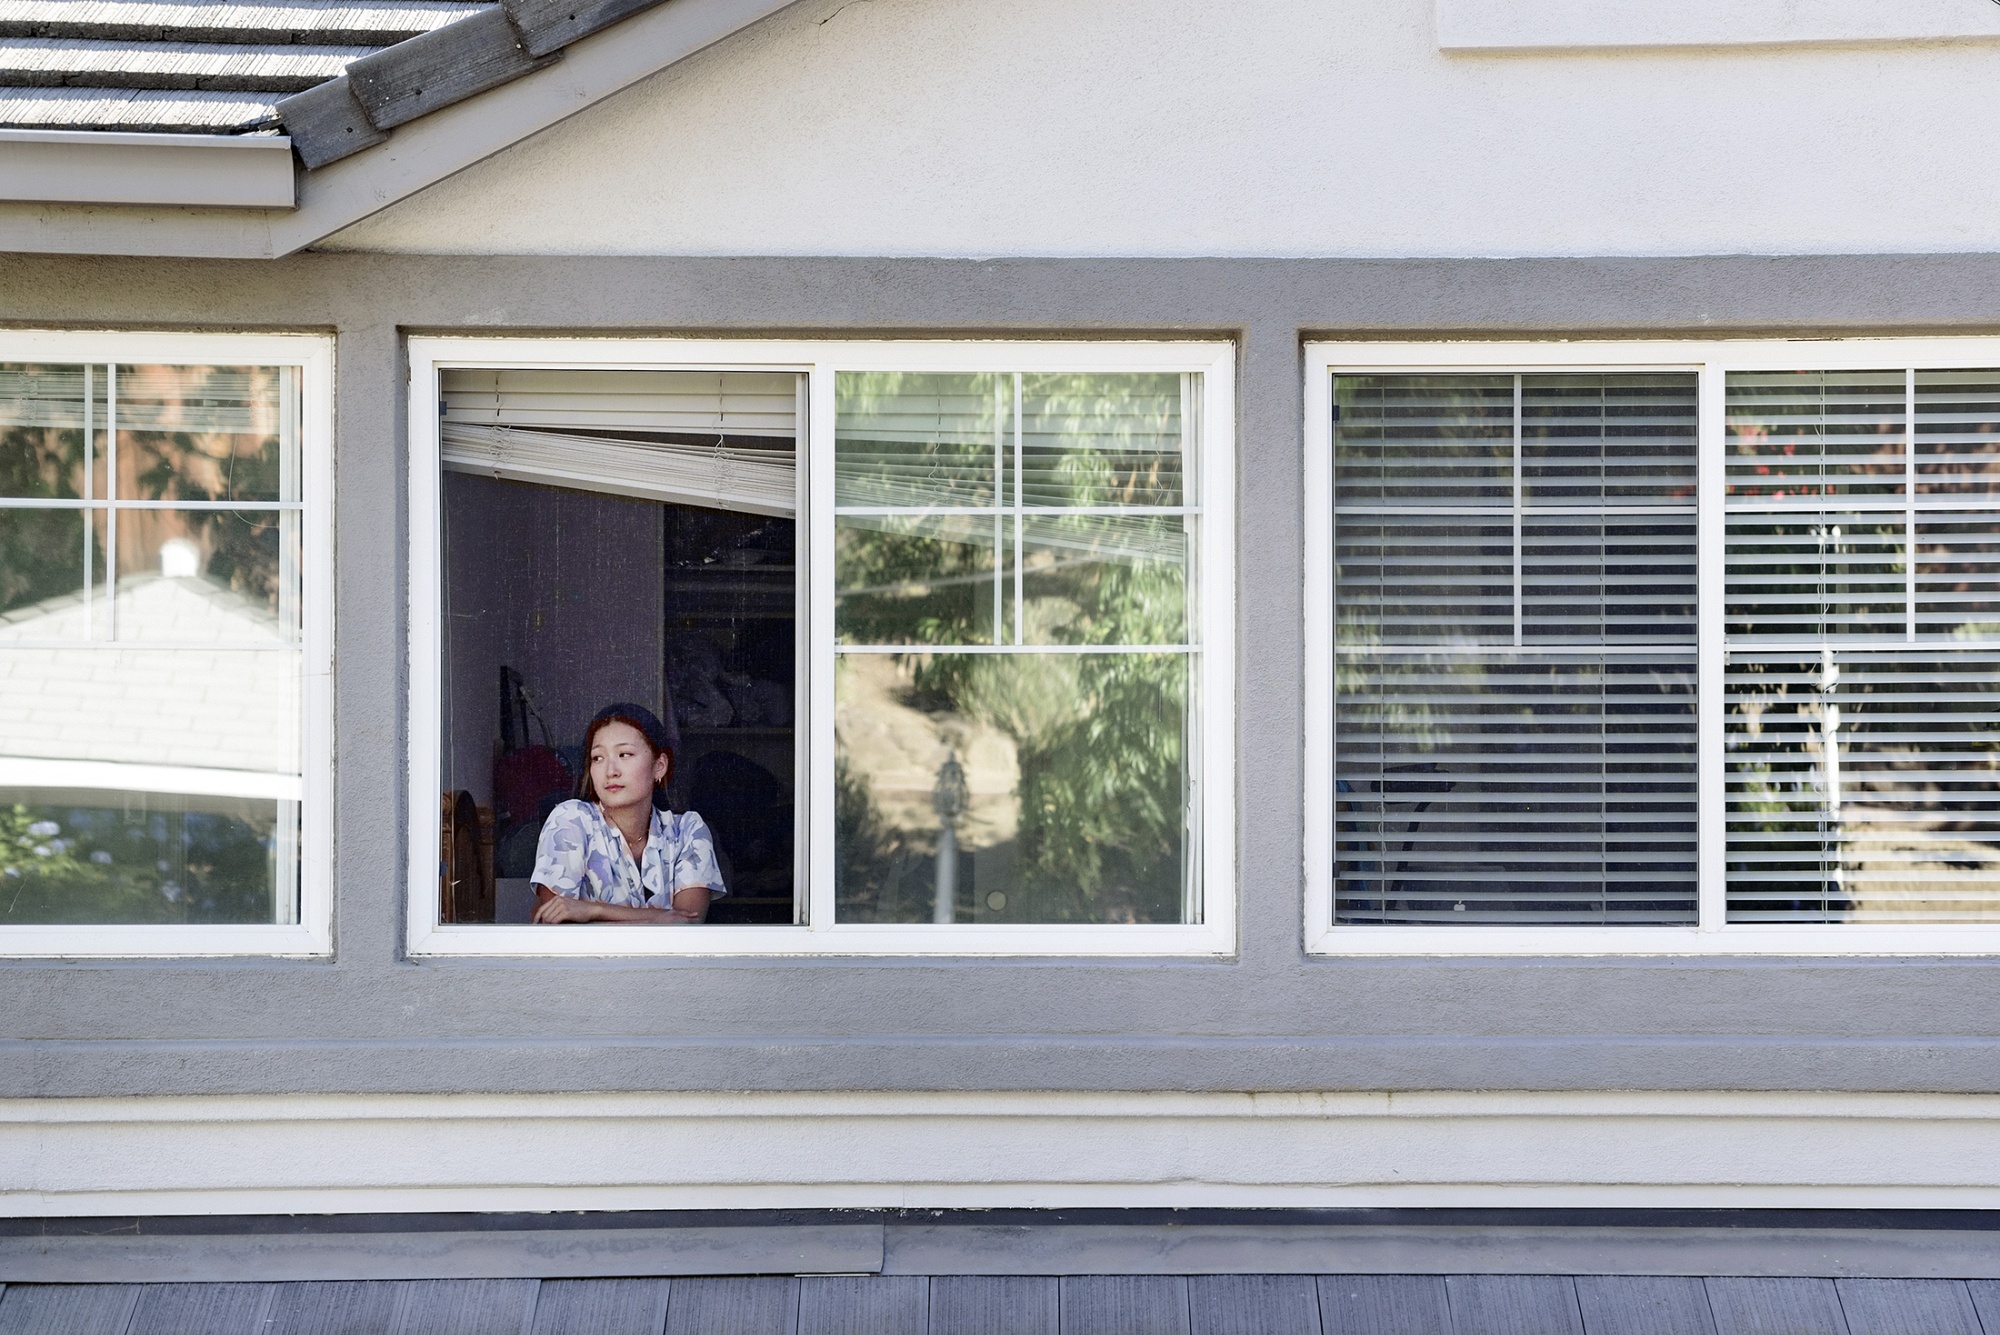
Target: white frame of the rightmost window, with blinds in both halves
[(1711, 361)]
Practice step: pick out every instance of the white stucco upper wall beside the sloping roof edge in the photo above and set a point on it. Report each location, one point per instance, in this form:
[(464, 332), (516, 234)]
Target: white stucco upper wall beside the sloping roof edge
[(1245, 129)]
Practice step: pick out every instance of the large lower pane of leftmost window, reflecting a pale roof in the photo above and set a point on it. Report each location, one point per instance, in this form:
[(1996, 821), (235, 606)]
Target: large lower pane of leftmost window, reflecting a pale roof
[(163, 782)]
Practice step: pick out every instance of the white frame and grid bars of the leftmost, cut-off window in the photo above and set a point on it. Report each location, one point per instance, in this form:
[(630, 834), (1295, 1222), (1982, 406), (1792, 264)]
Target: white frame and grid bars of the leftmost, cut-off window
[(313, 363)]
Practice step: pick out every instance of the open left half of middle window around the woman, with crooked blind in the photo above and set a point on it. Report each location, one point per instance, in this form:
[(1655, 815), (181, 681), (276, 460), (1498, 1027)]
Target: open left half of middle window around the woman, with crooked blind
[(619, 537)]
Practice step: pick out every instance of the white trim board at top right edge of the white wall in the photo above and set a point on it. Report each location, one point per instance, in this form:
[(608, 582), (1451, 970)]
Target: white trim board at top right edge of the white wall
[(1609, 25)]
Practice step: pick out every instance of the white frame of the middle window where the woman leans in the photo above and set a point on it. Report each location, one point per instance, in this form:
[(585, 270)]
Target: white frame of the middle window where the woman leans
[(1213, 776)]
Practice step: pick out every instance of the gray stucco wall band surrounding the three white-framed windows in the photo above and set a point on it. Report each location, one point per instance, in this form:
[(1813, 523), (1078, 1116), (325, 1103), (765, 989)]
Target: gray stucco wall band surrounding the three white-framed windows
[(1271, 1018)]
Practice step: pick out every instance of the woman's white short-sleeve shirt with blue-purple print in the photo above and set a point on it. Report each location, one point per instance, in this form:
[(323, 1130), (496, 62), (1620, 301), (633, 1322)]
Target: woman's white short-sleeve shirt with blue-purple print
[(583, 856)]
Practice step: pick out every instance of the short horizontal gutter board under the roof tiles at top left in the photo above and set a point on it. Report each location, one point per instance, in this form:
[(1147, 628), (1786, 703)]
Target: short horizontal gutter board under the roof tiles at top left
[(79, 167)]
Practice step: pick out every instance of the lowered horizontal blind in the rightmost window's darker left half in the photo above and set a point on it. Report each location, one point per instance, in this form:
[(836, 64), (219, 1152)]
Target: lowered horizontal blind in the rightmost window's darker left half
[(1515, 637)]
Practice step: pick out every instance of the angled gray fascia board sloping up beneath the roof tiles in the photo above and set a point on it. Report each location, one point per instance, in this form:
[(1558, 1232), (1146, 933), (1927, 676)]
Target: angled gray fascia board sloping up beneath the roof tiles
[(417, 155)]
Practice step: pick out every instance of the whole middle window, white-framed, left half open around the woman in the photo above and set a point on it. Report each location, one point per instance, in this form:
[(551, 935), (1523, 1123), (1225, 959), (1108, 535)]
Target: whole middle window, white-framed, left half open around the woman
[(939, 637)]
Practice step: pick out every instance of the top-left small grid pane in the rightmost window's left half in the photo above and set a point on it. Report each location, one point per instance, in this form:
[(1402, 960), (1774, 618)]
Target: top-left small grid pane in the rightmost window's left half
[(1433, 441)]
